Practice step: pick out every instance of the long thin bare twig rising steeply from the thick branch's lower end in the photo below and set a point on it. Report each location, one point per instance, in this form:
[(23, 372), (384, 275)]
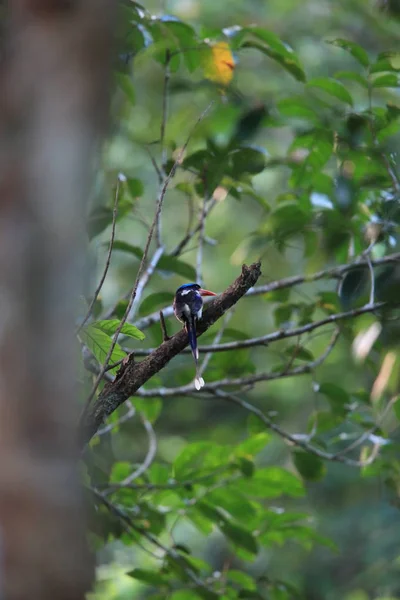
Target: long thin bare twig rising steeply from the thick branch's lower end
[(142, 263)]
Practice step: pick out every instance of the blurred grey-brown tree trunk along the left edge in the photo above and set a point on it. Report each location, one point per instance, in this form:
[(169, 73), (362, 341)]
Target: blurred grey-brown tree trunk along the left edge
[(54, 81)]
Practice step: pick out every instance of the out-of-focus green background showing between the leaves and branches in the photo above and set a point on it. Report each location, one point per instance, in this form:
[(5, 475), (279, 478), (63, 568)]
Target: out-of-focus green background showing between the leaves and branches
[(358, 513)]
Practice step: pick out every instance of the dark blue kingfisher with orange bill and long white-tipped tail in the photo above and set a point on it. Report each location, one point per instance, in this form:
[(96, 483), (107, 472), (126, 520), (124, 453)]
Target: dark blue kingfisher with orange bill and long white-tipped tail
[(188, 309)]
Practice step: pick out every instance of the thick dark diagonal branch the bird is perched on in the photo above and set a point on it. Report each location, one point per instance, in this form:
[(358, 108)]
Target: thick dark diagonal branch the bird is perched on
[(133, 375)]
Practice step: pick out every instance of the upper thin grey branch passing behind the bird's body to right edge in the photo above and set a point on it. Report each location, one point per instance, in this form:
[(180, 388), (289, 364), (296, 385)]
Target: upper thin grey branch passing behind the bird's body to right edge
[(280, 284)]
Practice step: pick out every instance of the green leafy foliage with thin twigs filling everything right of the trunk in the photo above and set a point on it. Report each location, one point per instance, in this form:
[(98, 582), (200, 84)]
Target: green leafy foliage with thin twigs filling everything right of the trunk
[(281, 478)]
